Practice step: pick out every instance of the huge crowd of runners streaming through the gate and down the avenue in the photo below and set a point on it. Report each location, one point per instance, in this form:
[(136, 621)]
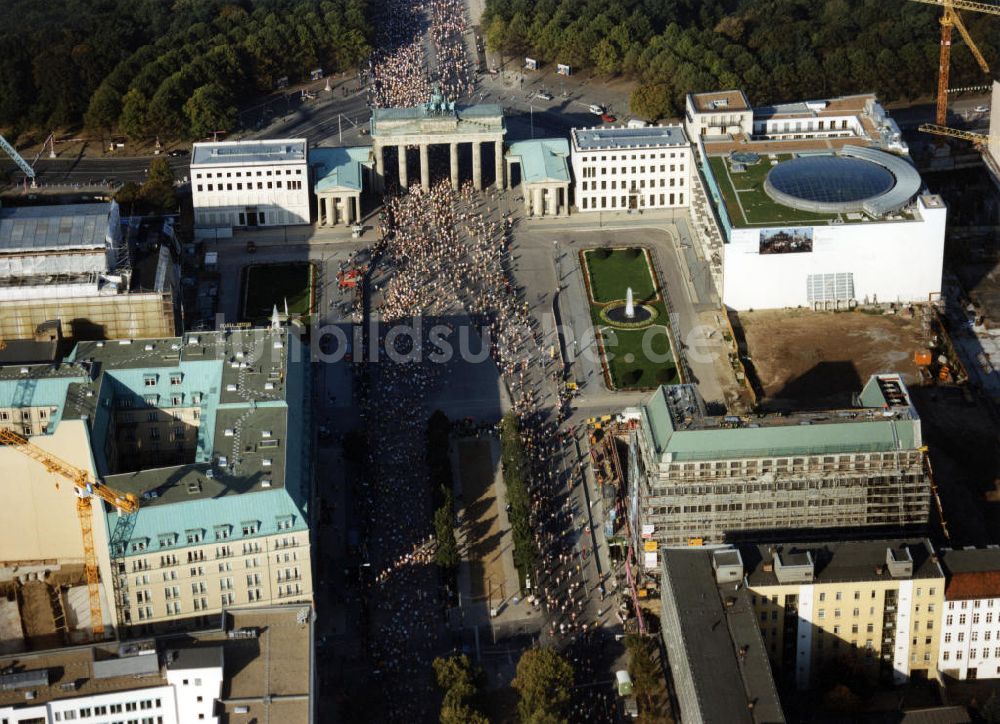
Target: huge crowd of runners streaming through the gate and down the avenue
[(443, 256)]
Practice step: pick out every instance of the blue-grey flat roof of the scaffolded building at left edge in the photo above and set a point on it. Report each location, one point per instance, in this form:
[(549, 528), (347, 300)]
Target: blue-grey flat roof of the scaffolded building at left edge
[(33, 229)]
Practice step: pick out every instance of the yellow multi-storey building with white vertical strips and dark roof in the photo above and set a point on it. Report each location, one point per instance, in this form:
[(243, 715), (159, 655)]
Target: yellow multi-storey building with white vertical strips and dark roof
[(876, 602)]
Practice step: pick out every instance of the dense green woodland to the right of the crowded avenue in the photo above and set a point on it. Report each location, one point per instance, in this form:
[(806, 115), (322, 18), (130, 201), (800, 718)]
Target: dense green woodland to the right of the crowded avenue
[(775, 50)]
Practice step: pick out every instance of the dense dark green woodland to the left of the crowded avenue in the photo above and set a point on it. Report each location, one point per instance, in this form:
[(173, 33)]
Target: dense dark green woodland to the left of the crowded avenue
[(173, 68)]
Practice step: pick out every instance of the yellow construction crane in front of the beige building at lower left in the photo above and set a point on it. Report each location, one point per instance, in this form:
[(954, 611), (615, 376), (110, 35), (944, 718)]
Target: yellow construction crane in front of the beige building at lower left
[(86, 488)]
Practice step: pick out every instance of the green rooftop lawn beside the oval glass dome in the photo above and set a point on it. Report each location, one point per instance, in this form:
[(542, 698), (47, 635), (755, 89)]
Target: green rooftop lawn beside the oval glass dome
[(747, 202)]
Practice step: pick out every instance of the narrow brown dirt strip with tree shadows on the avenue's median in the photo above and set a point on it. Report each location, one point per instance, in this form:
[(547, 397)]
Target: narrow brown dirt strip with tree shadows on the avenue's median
[(481, 526)]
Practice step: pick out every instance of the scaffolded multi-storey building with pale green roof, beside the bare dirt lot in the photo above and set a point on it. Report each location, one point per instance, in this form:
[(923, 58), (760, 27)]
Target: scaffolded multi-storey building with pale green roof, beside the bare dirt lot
[(694, 477)]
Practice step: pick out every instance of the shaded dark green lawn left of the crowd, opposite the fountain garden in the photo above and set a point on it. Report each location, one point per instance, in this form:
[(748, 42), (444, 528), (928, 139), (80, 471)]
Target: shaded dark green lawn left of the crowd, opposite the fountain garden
[(267, 285)]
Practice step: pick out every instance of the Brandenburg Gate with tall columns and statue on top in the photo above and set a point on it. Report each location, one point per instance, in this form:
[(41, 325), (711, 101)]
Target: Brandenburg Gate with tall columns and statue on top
[(428, 129)]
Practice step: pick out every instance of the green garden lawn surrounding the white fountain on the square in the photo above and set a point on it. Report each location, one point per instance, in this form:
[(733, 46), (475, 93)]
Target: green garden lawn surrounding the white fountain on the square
[(628, 364)]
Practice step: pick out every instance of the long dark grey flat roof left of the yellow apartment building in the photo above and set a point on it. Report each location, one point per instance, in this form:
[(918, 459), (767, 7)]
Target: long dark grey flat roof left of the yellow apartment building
[(728, 663)]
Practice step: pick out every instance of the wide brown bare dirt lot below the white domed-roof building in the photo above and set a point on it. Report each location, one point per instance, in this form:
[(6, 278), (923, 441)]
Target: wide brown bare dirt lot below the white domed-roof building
[(804, 359)]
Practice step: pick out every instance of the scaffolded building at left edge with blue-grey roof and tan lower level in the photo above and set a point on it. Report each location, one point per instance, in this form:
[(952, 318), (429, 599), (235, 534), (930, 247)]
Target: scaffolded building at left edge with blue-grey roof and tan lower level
[(72, 263)]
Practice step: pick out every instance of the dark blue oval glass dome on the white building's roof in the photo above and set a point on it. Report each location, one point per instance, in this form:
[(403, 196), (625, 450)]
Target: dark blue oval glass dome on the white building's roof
[(827, 183)]
